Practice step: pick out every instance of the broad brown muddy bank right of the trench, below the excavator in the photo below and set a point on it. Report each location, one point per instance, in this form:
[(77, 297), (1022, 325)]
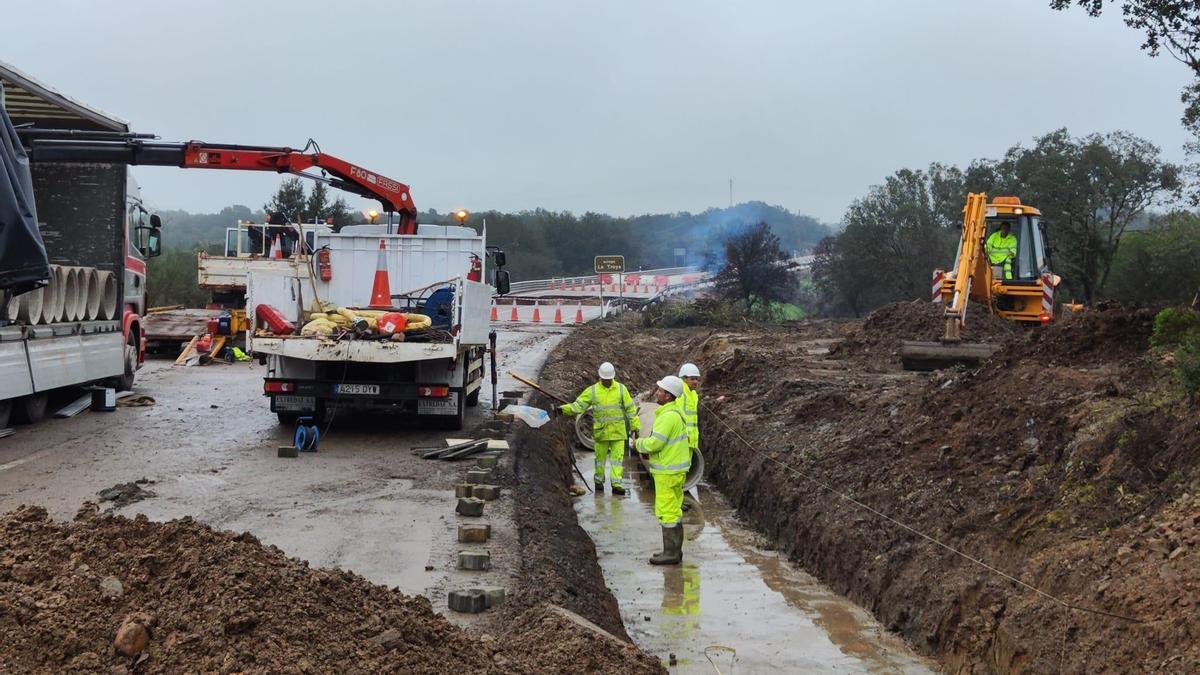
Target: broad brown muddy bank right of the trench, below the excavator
[(1066, 461)]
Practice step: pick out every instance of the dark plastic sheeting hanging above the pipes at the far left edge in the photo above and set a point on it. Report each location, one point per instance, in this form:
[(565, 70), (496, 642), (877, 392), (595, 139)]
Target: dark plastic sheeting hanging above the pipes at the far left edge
[(23, 261)]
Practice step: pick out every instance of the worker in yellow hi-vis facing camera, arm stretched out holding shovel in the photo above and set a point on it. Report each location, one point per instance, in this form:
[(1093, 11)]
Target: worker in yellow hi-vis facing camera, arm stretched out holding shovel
[(614, 420)]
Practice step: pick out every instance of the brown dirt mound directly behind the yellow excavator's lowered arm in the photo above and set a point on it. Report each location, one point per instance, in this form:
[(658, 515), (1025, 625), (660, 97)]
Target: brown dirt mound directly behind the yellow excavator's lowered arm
[(880, 336)]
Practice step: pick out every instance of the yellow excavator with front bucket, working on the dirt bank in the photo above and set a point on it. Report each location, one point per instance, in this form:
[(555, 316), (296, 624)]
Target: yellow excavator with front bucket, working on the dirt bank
[(1021, 289)]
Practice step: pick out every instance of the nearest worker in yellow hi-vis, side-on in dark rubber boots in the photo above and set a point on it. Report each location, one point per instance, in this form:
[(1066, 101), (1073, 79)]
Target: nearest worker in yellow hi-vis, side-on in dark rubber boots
[(669, 461)]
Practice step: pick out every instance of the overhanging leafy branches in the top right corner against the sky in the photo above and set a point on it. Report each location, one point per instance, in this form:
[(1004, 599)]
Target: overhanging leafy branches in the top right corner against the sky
[(1172, 26)]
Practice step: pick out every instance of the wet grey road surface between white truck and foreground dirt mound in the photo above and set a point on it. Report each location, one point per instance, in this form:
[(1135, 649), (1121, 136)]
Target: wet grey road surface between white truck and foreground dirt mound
[(364, 503)]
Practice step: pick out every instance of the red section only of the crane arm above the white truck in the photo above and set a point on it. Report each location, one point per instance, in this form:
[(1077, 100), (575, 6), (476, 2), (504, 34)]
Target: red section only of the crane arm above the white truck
[(392, 194)]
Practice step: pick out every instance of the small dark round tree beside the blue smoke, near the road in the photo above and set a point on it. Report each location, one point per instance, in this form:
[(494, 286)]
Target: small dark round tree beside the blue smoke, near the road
[(752, 270)]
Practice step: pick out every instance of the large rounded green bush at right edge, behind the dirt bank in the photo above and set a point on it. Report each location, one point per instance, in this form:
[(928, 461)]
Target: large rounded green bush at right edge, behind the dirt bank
[(1161, 264)]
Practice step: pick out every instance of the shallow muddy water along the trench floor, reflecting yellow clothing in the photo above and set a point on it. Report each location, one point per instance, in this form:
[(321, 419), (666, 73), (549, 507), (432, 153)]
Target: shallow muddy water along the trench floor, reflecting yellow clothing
[(728, 594)]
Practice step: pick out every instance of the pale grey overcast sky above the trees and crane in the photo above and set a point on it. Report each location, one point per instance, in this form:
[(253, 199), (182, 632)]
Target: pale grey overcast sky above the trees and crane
[(619, 106)]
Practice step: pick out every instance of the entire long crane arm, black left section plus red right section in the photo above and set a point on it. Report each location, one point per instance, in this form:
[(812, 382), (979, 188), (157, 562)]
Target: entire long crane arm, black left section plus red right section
[(55, 146)]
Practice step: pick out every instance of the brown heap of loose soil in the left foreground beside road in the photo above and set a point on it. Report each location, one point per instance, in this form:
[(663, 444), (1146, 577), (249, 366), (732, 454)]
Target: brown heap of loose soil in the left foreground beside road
[(188, 599)]
